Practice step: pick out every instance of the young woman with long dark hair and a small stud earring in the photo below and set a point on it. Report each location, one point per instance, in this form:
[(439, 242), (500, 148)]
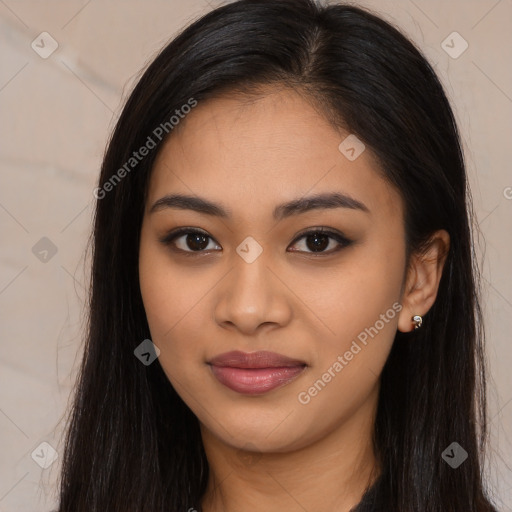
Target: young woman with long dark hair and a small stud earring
[(283, 312)]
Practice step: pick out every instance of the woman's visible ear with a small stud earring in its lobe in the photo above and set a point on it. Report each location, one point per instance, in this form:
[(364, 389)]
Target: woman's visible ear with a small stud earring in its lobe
[(422, 281)]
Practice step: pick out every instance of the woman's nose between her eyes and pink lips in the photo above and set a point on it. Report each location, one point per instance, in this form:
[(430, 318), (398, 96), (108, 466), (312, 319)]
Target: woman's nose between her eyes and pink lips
[(252, 295)]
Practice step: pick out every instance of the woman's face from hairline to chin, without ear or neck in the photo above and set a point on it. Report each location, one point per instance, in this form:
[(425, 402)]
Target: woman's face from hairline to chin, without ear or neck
[(251, 281)]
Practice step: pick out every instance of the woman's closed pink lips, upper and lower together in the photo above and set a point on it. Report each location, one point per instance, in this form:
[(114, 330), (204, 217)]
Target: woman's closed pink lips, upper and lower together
[(255, 372)]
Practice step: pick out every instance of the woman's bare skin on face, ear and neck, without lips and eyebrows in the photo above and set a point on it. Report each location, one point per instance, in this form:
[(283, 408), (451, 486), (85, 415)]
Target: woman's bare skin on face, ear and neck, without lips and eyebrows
[(270, 452)]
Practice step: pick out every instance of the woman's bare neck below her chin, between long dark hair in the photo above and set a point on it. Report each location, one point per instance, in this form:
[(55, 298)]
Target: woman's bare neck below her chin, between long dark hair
[(331, 473)]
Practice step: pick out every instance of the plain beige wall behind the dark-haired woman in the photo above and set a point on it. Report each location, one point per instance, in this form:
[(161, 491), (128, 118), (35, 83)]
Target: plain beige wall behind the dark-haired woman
[(56, 114)]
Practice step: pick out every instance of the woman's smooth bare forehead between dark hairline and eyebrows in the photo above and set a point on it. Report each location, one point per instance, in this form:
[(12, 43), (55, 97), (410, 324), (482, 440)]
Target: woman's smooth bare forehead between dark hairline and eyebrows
[(251, 155)]
